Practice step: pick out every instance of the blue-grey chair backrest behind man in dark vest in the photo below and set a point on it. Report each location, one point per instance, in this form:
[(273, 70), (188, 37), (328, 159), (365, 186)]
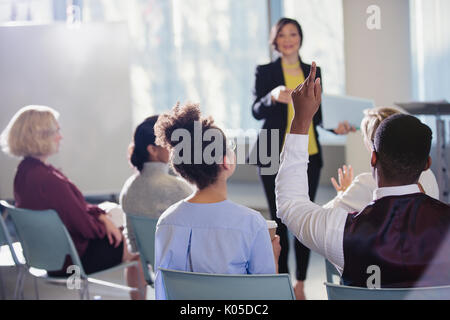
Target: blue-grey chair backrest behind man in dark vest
[(339, 292)]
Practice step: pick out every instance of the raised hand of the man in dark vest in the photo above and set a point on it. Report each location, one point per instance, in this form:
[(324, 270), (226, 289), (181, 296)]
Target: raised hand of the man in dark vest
[(306, 99)]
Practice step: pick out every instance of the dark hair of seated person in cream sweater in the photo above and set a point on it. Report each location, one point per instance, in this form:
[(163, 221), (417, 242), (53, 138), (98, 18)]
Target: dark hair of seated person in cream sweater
[(144, 135)]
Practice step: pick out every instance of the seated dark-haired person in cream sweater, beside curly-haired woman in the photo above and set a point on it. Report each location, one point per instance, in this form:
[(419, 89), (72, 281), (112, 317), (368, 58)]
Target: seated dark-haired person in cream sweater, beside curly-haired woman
[(151, 190)]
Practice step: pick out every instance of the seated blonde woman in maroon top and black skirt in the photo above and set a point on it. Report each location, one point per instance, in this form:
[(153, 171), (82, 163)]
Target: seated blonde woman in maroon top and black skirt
[(34, 134)]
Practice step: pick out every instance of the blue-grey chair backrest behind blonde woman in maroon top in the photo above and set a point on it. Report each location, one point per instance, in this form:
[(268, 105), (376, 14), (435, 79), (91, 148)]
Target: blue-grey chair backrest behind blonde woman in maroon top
[(44, 238)]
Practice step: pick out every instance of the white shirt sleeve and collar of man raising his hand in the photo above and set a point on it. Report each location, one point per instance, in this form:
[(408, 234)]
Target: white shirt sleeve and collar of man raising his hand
[(318, 228)]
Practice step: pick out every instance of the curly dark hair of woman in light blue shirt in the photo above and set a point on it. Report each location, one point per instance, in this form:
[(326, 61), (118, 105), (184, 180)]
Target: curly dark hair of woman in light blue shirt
[(200, 173)]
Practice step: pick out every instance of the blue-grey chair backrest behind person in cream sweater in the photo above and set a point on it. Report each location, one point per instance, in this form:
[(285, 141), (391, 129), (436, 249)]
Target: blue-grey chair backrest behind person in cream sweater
[(144, 232)]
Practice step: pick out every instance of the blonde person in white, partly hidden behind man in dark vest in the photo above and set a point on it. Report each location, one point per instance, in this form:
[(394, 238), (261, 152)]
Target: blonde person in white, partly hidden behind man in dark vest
[(355, 195)]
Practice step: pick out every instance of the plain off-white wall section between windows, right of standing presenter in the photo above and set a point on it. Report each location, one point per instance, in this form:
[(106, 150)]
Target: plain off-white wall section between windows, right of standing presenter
[(378, 62)]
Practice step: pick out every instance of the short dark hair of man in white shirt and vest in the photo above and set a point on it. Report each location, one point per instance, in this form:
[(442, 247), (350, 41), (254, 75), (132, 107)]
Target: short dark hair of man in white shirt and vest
[(402, 144)]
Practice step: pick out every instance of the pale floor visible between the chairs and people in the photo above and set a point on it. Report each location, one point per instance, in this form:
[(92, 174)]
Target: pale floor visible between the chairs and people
[(248, 194)]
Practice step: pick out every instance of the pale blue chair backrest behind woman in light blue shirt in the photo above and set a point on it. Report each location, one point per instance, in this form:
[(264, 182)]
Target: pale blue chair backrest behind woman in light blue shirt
[(181, 285)]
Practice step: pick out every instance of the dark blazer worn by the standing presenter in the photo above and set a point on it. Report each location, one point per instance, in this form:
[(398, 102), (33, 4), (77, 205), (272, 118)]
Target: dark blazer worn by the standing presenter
[(274, 114)]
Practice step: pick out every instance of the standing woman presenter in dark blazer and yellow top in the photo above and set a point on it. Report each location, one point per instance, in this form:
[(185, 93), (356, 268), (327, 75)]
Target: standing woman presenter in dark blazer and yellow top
[(274, 83)]
